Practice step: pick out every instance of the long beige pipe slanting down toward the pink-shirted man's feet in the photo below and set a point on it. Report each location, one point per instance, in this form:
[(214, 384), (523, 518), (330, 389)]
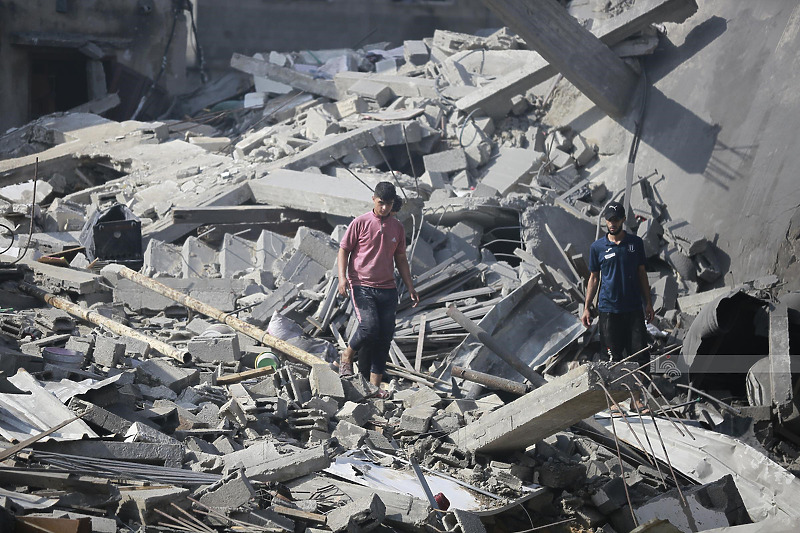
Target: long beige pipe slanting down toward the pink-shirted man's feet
[(225, 318)]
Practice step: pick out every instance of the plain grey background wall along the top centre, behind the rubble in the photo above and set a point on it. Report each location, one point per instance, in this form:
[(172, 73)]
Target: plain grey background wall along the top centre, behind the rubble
[(312, 25)]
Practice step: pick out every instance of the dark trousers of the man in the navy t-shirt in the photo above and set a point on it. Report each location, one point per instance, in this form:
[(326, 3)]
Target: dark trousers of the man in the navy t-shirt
[(624, 333)]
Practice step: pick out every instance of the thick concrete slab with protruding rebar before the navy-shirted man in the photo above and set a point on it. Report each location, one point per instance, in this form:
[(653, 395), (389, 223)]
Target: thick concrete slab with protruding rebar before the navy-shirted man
[(553, 407)]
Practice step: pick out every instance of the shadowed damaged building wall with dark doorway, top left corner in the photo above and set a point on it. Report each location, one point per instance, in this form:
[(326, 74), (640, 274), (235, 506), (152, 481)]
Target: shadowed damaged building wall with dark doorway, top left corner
[(58, 55)]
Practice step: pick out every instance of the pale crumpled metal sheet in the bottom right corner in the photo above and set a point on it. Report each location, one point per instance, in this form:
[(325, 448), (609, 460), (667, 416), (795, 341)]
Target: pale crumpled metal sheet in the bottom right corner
[(767, 488)]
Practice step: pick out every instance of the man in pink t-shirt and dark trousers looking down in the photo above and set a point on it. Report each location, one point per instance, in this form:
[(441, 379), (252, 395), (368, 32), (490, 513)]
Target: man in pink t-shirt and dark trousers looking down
[(372, 246)]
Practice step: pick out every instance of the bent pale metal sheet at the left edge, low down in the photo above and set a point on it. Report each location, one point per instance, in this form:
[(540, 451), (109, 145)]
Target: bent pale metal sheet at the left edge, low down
[(25, 415)]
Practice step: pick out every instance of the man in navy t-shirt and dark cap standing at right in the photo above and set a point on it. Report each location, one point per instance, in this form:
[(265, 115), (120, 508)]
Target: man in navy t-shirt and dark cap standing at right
[(617, 265)]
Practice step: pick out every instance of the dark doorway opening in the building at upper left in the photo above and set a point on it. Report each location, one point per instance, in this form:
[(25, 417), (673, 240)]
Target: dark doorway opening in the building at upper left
[(57, 81)]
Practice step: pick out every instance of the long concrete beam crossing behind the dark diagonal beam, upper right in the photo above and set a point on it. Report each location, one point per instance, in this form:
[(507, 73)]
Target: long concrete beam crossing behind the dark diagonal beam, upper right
[(495, 98)]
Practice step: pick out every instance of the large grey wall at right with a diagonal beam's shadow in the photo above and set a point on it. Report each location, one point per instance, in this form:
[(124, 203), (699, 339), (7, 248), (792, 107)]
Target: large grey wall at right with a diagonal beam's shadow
[(726, 151)]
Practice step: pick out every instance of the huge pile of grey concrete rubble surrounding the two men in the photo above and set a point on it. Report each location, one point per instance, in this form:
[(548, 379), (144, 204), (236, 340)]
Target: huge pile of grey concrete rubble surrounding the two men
[(171, 328)]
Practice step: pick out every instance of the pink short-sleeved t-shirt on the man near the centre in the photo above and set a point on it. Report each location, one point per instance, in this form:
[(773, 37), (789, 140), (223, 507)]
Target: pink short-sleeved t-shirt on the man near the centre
[(372, 242)]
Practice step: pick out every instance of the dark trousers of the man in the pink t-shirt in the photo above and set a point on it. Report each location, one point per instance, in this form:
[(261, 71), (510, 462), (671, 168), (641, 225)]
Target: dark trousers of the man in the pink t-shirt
[(375, 310)]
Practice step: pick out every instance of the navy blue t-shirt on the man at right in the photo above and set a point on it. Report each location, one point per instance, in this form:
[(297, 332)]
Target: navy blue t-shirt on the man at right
[(618, 264)]
